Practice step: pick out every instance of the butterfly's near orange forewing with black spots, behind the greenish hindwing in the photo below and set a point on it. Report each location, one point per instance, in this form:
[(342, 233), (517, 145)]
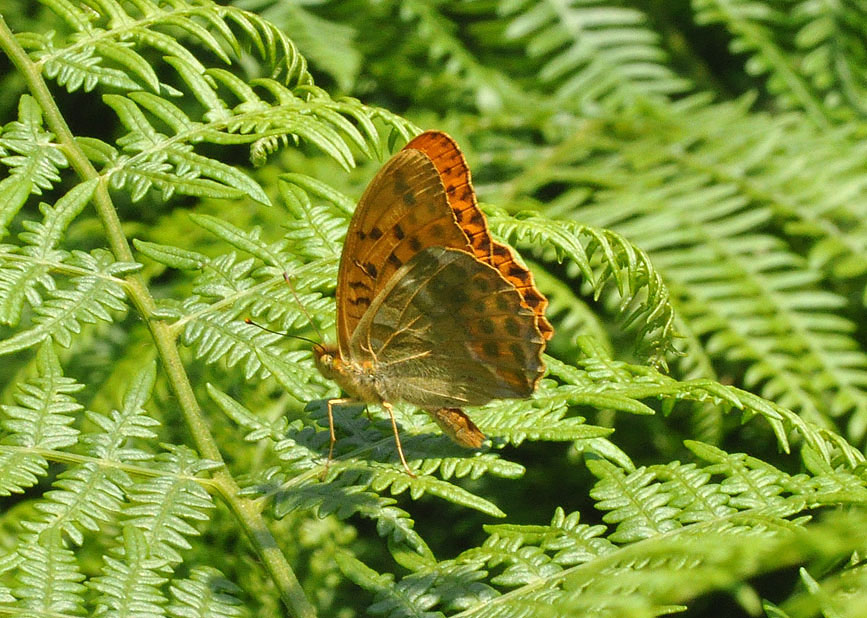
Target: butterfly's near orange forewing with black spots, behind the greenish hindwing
[(403, 211)]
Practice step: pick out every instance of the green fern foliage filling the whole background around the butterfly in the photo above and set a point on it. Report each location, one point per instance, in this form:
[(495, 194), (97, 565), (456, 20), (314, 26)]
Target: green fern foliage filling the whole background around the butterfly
[(688, 182)]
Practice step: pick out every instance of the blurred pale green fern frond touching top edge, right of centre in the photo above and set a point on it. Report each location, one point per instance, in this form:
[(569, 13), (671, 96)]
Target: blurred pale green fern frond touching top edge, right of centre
[(590, 53)]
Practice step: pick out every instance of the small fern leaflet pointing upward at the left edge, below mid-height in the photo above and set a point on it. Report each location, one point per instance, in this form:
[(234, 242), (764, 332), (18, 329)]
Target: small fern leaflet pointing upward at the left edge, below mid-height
[(41, 420)]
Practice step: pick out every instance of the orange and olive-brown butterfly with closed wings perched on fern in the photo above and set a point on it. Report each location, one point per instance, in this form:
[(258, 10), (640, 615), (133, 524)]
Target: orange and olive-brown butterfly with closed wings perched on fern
[(431, 310)]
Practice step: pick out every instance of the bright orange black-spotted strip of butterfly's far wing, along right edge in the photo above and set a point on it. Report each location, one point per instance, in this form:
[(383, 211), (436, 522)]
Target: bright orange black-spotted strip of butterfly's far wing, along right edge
[(455, 177)]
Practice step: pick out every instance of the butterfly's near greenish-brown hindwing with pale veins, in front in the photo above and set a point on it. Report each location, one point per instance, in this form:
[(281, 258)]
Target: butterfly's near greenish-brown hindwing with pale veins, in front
[(448, 330)]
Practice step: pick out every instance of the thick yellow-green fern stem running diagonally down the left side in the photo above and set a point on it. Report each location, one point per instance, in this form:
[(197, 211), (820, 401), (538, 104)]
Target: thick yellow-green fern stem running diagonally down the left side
[(247, 511)]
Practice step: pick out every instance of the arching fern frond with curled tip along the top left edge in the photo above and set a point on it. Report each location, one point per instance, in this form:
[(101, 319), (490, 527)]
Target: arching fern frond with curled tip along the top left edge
[(107, 41)]
